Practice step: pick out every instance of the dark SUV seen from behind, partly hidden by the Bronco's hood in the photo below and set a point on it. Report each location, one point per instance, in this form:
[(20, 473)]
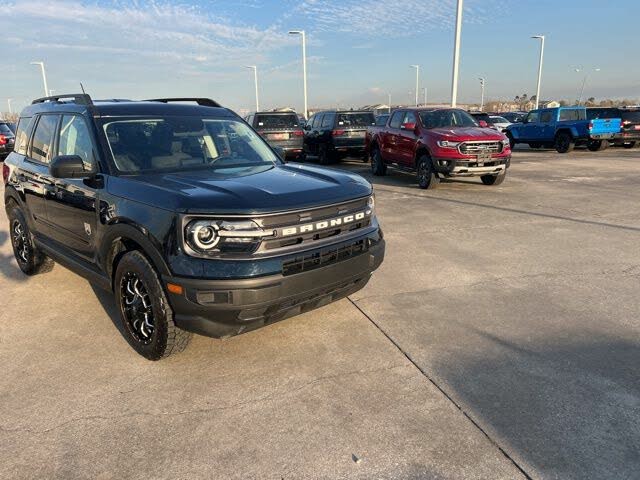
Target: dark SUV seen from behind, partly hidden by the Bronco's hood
[(281, 130)]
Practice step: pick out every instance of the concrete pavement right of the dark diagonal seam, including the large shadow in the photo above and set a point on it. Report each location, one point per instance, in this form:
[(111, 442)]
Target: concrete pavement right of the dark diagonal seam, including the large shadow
[(521, 303)]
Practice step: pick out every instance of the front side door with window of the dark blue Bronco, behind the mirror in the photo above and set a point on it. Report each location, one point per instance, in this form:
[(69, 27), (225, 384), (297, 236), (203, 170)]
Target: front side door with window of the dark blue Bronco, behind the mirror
[(71, 205)]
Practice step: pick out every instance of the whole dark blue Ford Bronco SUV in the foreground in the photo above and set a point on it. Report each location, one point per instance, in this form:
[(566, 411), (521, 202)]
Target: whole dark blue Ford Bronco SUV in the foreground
[(186, 214)]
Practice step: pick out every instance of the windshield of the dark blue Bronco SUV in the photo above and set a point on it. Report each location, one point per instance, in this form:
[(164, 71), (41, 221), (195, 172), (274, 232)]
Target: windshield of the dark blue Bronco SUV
[(180, 143)]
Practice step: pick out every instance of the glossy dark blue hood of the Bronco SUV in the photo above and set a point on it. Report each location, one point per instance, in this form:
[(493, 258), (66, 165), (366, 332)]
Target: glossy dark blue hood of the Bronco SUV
[(279, 188)]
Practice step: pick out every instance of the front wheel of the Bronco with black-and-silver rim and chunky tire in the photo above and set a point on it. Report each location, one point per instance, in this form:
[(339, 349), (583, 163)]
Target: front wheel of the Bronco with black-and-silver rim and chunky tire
[(145, 312)]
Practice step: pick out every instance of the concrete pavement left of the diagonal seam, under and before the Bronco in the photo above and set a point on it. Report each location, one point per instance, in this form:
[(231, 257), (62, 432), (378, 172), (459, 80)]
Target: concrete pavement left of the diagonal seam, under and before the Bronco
[(323, 395)]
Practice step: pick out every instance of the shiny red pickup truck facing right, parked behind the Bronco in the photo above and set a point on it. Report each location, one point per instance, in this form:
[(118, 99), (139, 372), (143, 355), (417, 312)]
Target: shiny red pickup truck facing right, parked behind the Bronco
[(439, 143)]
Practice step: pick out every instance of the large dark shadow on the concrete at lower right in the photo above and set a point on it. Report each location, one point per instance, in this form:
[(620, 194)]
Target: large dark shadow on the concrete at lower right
[(564, 410)]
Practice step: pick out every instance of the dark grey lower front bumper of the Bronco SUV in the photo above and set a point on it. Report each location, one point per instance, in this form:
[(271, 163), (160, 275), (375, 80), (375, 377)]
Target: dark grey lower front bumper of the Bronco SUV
[(222, 308)]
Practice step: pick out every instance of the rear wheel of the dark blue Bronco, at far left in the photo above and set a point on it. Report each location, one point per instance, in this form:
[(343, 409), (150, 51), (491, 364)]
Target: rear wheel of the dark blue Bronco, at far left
[(30, 258)]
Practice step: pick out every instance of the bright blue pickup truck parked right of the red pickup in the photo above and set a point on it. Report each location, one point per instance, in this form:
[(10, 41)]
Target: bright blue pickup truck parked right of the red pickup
[(563, 128)]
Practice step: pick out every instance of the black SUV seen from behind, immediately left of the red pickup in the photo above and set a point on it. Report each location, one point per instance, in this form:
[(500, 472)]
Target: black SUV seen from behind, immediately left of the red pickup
[(335, 134)]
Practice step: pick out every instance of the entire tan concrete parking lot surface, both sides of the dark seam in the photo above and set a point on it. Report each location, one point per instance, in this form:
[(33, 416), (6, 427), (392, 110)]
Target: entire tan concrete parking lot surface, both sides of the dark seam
[(501, 335)]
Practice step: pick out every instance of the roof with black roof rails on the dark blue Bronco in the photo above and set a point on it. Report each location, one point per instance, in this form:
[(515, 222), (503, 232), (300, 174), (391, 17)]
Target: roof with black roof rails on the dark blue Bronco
[(115, 107)]
